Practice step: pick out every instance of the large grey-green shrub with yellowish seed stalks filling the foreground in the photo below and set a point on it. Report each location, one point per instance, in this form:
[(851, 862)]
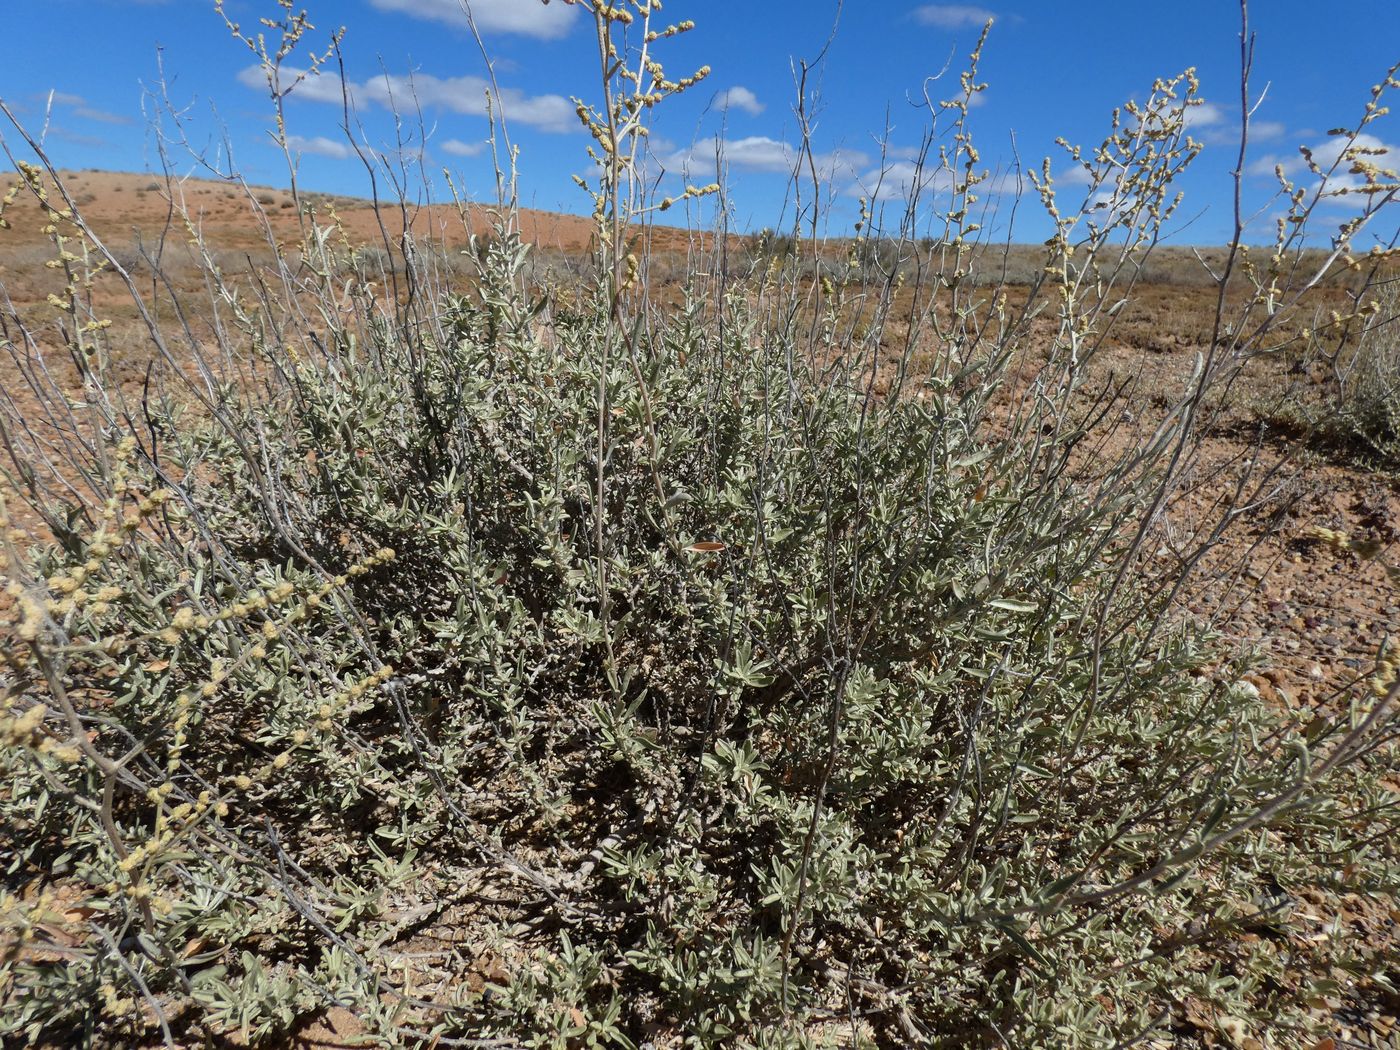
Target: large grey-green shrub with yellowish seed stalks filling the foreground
[(699, 671)]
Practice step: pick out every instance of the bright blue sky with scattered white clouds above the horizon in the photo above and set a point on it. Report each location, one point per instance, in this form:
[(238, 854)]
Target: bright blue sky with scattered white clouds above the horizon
[(1053, 71)]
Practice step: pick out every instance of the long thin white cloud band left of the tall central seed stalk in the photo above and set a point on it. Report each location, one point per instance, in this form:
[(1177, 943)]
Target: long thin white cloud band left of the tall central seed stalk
[(457, 94)]
